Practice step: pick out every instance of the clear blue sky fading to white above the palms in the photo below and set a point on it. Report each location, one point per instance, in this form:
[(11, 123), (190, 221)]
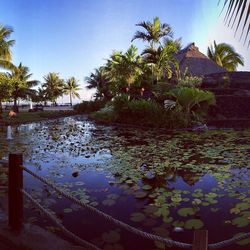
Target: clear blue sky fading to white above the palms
[(72, 37)]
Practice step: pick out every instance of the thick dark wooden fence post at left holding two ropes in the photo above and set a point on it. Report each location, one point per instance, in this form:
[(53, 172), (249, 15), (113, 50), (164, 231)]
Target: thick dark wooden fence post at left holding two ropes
[(15, 194)]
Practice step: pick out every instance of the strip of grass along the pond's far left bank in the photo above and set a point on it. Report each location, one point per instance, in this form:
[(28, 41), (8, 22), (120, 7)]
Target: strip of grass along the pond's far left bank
[(27, 117)]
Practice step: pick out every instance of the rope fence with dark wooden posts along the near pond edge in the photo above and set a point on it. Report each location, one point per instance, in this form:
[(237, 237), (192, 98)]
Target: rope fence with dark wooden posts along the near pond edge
[(16, 169)]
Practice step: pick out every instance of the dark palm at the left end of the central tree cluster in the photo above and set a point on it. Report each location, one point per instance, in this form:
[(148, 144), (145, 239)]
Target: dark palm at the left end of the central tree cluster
[(99, 80)]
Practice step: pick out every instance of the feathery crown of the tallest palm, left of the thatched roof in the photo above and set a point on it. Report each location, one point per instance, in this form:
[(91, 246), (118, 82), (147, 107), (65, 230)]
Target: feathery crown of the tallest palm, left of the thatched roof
[(153, 32)]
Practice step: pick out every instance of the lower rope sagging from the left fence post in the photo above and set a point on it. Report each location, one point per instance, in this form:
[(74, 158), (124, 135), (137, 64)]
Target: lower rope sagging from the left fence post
[(57, 222)]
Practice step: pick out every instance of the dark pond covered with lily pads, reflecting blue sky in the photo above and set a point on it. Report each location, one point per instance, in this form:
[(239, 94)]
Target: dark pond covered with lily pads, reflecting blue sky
[(166, 184)]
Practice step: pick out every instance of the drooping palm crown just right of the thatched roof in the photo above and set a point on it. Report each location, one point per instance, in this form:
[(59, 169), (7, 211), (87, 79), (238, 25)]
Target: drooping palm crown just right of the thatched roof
[(225, 56)]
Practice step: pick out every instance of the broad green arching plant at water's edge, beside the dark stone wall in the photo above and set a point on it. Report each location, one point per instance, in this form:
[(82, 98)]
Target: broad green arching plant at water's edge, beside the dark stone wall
[(193, 101)]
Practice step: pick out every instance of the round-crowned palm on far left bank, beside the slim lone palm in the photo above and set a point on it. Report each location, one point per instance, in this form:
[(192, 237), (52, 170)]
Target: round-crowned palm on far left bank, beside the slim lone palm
[(53, 87)]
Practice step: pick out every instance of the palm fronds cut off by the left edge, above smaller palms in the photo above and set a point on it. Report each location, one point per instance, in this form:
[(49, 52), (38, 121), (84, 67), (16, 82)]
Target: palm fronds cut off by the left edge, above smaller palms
[(5, 44)]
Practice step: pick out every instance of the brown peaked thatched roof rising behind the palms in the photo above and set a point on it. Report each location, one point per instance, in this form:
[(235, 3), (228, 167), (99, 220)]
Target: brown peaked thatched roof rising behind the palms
[(197, 63)]
